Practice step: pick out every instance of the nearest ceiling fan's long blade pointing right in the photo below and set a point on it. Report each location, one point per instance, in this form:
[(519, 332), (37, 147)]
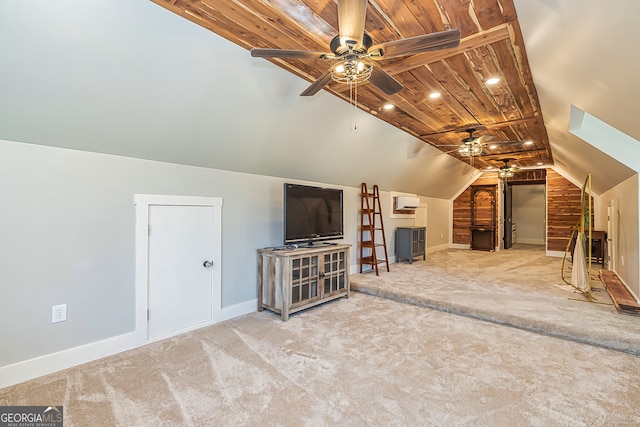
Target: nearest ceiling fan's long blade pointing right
[(419, 44)]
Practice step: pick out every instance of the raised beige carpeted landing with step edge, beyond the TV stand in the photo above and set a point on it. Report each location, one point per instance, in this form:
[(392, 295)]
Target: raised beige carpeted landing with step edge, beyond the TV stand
[(520, 287)]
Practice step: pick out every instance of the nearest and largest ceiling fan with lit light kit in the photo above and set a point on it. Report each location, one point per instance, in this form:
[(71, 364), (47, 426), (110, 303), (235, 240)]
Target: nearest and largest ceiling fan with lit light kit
[(352, 51)]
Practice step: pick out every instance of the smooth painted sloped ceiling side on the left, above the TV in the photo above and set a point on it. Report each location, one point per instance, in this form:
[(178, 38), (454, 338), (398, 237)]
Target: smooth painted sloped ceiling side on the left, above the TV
[(133, 79)]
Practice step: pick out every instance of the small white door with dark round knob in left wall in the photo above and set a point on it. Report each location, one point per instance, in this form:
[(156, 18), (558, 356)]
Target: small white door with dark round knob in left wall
[(180, 268)]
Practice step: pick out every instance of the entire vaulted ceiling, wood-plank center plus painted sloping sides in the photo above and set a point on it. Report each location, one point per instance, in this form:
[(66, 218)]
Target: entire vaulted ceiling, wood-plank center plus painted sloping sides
[(132, 79)]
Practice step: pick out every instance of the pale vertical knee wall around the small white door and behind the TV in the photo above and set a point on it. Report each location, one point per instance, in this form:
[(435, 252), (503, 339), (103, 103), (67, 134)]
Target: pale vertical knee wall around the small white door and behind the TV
[(68, 237)]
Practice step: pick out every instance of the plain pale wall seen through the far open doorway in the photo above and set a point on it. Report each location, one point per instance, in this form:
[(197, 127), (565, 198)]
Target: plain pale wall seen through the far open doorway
[(528, 213)]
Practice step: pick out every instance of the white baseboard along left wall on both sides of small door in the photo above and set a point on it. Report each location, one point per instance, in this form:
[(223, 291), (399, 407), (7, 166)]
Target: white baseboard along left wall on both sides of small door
[(50, 363)]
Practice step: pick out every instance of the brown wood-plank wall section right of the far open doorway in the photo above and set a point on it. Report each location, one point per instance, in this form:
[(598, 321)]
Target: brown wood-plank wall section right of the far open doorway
[(563, 210)]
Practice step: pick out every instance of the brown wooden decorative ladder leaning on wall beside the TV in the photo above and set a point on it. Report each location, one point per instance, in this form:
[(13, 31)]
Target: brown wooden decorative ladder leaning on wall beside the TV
[(372, 238)]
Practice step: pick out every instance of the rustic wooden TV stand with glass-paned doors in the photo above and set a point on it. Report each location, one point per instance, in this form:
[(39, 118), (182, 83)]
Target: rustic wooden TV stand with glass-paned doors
[(290, 280)]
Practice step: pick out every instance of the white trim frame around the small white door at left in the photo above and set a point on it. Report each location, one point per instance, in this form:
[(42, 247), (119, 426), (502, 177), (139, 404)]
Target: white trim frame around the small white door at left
[(142, 203)]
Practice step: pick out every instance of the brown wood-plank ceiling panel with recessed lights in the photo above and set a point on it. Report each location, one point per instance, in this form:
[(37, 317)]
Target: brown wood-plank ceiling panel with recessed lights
[(491, 46)]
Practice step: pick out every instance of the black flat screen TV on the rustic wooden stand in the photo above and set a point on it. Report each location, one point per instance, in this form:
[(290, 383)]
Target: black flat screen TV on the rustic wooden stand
[(312, 214)]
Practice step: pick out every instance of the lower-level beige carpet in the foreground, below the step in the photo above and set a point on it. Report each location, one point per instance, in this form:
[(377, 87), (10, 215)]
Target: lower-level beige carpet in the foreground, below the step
[(362, 361)]
